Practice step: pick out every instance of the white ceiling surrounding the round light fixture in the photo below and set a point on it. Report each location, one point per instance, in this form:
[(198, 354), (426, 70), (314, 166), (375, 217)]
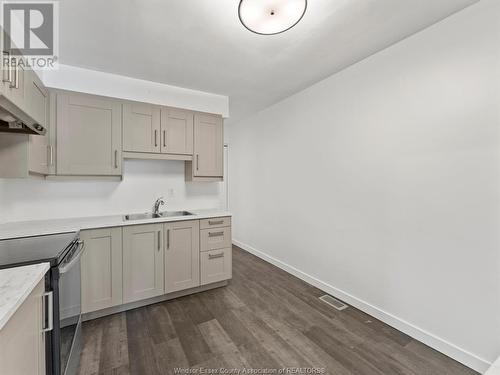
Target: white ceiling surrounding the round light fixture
[(200, 44)]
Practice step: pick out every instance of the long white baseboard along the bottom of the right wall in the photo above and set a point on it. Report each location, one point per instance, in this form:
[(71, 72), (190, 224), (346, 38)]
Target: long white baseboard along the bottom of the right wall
[(463, 356)]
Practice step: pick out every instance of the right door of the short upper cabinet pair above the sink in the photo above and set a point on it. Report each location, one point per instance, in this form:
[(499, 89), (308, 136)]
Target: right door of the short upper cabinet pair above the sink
[(176, 131)]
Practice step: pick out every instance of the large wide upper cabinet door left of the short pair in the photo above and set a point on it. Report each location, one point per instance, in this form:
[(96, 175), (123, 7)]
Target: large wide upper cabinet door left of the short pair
[(89, 137)]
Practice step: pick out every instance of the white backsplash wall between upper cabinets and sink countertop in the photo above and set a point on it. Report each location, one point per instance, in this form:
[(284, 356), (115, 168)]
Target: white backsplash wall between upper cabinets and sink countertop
[(143, 182)]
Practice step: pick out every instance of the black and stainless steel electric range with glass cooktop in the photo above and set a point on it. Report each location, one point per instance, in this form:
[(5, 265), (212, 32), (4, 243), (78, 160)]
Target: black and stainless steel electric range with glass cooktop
[(62, 306)]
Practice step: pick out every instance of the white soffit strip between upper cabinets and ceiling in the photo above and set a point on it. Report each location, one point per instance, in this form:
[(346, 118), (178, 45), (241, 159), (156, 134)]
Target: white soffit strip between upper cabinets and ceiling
[(99, 83)]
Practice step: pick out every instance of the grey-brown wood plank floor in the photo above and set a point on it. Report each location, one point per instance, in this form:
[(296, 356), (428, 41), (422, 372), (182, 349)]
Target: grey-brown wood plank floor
[(264, 319)]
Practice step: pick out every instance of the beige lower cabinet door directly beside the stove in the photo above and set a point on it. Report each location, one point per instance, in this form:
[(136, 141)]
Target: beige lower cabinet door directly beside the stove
[(101, 269)]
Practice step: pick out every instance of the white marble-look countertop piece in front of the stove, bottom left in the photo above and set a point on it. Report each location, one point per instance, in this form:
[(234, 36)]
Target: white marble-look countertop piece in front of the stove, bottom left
[(16, 284)]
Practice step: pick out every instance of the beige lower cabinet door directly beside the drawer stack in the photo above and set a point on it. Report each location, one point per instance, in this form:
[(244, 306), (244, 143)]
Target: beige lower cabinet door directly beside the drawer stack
[(182, 255)]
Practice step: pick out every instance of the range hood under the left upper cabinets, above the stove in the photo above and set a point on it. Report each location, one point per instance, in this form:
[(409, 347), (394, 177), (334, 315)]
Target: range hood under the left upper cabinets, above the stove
[(12, 120)]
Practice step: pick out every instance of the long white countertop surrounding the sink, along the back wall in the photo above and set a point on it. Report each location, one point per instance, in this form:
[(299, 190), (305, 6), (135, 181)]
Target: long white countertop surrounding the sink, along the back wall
[(54, 226)]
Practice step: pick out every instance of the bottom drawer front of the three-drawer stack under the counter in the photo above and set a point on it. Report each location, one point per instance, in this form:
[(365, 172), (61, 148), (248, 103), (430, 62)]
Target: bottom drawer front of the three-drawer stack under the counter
[(216, 266)]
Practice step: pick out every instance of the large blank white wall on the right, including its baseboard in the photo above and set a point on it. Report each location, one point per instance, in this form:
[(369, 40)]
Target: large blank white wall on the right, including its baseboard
[(381, 184)]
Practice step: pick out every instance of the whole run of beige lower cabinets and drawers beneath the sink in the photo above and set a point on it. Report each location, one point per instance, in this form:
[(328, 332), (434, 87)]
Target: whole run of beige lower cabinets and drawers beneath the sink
[(138, 262)]
